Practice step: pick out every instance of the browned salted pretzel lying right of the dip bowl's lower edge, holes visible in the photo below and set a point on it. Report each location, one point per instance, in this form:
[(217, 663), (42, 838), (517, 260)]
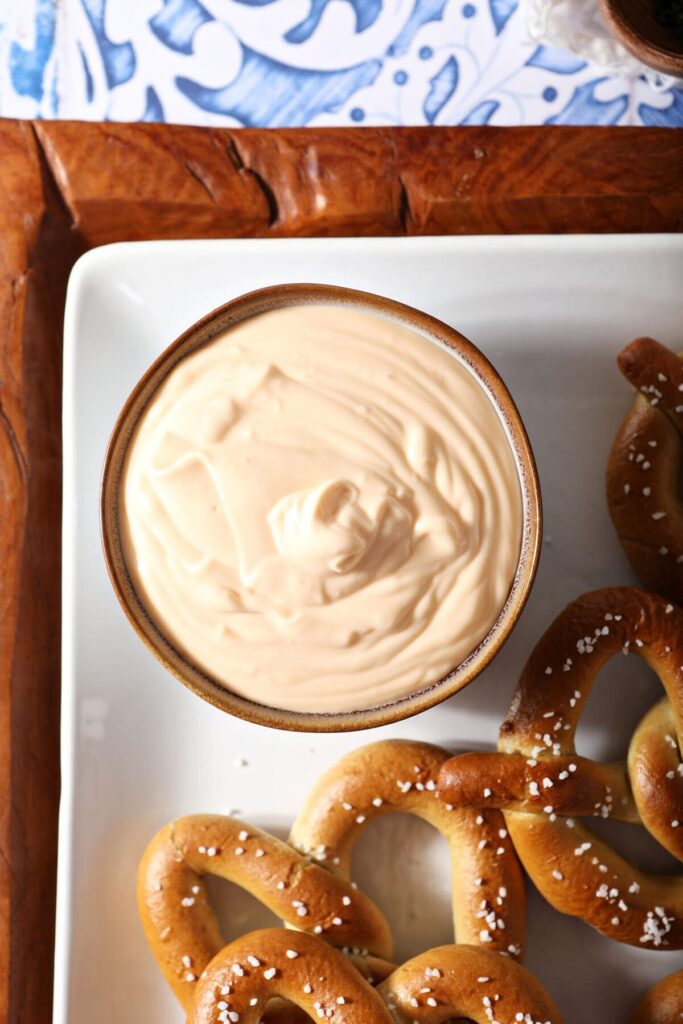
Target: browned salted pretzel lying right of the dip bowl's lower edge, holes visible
[(543, 785)]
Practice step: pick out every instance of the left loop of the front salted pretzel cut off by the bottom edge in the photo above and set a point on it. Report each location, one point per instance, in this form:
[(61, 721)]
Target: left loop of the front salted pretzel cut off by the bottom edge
[(275, 963)]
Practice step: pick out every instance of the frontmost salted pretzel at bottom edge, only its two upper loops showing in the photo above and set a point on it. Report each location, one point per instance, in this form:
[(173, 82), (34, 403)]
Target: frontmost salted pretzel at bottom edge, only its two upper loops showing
[(447, 983)]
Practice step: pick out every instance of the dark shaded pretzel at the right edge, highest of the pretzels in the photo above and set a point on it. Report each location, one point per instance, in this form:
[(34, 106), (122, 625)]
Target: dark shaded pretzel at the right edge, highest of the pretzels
[(645, 466)]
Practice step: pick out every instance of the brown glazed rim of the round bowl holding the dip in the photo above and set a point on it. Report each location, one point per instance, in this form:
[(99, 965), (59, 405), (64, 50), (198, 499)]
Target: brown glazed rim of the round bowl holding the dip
[(182, 666)]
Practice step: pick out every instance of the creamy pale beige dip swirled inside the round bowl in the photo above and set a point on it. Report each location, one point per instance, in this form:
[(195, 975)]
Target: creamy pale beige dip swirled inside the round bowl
[(322, 509)]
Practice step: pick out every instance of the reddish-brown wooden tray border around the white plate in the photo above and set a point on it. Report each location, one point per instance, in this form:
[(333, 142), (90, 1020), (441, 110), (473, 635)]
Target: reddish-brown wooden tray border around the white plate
[(66, 188)]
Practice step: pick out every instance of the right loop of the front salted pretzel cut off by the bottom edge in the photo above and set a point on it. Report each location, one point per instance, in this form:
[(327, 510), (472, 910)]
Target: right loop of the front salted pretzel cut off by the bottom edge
[(466, 982)]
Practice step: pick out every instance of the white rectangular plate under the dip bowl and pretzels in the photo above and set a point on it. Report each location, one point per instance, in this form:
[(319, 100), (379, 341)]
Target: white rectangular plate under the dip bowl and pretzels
[(140, 750)]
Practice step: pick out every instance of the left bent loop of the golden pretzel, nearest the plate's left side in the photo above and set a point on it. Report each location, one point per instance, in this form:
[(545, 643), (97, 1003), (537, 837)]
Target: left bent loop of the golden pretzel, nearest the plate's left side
[(180, 924)]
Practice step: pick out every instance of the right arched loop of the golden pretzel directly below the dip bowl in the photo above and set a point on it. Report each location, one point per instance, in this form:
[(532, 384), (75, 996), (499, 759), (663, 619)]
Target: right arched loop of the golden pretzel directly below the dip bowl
[(488, 886)]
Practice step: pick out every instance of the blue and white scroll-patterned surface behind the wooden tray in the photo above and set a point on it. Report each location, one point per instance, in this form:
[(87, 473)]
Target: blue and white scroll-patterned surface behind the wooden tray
[(292, 63)]
